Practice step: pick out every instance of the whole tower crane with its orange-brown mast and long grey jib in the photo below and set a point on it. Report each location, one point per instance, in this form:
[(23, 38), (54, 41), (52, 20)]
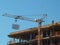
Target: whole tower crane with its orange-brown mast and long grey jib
[(39, 21)]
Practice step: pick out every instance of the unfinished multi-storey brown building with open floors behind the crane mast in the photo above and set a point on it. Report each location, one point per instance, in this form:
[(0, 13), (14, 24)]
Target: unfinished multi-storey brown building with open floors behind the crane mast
[(50, 35)]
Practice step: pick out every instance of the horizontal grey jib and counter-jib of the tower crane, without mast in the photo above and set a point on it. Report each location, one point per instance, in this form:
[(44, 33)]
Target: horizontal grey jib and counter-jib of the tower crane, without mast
[(16, 17)]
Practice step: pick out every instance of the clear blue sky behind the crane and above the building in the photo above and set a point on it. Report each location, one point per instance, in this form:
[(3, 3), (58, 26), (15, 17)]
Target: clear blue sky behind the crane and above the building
[(27, 8)]
